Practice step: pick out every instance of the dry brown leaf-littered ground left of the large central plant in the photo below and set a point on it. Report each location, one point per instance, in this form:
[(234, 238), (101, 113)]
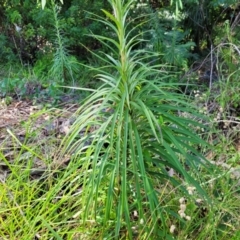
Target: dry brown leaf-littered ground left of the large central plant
[(24, 123)]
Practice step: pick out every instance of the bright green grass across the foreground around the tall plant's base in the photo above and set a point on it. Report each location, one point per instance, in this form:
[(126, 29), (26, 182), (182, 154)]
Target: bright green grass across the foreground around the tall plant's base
[(48, 203)]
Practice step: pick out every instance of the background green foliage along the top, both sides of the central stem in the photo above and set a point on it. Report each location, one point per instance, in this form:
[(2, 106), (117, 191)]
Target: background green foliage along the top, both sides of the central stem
[(174, 29)]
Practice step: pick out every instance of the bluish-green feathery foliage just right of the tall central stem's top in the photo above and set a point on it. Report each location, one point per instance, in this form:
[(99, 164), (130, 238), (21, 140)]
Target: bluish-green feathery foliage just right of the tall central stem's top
[(163, 33)]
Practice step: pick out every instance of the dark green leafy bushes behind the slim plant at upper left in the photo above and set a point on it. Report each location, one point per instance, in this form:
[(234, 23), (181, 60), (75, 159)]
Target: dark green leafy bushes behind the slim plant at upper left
[(37, 35)]
